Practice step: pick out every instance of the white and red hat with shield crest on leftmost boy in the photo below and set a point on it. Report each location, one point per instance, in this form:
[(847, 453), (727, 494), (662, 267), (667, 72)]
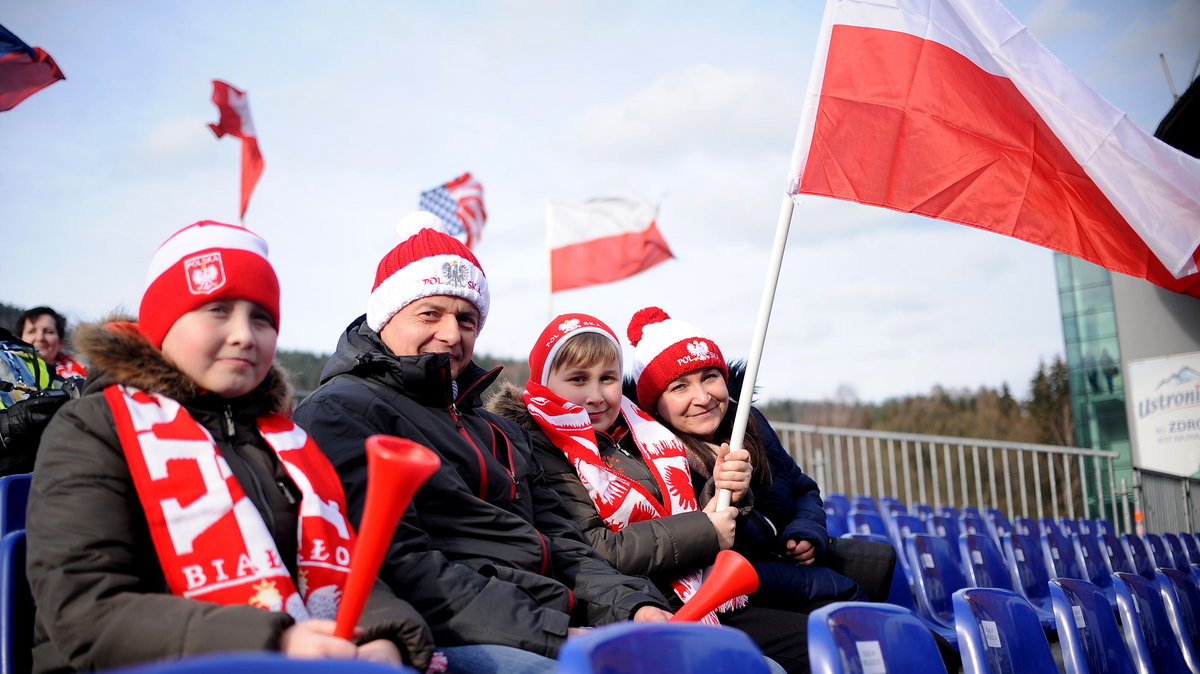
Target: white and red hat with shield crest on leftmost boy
[(202, 263)]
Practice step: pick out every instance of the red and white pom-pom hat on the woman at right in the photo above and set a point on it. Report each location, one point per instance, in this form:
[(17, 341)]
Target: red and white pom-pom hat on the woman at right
[(665, 348)]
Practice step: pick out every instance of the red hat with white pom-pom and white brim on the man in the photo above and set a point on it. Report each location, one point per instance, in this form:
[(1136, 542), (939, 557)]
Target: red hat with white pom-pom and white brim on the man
[(425, 263)]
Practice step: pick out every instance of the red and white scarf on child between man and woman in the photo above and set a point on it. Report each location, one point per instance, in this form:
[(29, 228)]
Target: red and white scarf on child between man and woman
[(621, 501)]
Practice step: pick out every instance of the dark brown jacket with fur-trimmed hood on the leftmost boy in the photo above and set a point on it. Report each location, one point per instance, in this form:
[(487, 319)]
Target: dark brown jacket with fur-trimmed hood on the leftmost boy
[(101, 597)]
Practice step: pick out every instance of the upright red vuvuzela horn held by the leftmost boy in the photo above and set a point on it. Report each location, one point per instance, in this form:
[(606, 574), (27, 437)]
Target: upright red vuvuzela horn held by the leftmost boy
[(397, 468)]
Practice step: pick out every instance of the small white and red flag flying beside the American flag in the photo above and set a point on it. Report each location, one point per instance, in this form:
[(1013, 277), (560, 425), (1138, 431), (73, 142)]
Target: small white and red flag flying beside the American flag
[(603, 240)]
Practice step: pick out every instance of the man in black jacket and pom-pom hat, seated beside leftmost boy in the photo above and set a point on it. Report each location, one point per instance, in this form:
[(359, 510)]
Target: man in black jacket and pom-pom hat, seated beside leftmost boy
[(484, 552)]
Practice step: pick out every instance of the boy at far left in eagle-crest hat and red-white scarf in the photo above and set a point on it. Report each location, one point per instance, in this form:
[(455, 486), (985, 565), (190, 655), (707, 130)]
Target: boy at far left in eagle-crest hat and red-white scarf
[(176, 510)]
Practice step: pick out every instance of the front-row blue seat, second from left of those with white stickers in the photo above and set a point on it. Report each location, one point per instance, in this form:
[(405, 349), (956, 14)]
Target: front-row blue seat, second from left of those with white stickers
[(999, 631)]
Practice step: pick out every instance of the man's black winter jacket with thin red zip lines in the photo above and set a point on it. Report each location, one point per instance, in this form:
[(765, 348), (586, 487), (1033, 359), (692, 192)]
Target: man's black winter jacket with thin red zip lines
[(485, 551)]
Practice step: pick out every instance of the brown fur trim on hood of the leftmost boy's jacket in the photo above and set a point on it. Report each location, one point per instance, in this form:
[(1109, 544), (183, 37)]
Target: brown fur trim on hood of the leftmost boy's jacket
[(121, 354)]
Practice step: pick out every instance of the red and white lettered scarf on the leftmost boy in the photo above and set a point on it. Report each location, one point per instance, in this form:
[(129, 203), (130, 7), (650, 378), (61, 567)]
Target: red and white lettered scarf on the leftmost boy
[(212, 541)]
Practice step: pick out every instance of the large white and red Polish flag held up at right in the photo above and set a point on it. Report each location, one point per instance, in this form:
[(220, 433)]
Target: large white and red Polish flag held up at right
[(955, 111)]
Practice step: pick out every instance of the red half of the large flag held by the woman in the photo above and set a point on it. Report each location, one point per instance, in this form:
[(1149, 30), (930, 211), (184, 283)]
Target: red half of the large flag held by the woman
[(915, 127)]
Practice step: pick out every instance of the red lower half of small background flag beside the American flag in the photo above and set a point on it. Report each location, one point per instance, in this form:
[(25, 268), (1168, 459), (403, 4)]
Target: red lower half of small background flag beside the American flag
[(607, 260)]
